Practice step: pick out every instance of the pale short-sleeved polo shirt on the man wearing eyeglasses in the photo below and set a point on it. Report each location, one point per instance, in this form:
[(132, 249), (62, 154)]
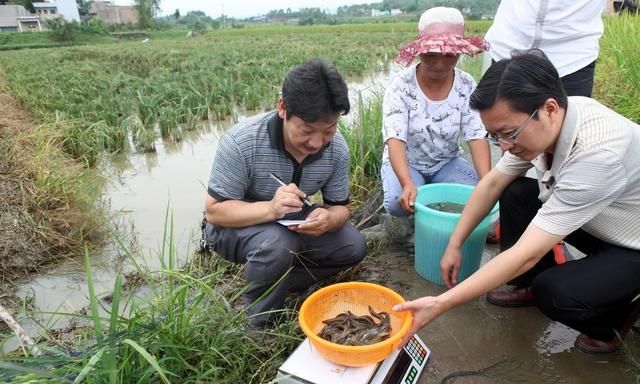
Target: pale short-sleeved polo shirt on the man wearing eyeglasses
[(594, 180)]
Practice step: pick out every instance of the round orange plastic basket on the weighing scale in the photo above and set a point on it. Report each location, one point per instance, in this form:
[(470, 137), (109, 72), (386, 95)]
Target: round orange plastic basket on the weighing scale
[(332, 300)]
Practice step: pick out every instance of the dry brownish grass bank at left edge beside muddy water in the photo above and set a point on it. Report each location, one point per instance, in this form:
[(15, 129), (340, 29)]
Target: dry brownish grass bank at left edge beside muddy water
[(58, 208)]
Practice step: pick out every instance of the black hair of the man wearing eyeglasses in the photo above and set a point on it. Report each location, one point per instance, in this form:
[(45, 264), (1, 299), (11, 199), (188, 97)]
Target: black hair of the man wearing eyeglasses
[(525, 81)]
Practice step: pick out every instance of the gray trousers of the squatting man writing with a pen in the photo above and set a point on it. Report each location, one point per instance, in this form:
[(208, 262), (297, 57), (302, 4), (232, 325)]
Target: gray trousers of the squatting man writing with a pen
[(271, 250)]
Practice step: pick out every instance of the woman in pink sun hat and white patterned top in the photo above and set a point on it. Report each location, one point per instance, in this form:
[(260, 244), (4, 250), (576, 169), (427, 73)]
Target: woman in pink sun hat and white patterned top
[(426, 113)]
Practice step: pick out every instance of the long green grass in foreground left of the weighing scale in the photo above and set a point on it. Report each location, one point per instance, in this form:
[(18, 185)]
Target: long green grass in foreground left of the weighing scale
[(190, 329)]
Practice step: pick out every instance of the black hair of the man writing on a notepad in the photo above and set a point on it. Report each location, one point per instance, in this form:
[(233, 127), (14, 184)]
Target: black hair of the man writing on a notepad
[(315, 91)]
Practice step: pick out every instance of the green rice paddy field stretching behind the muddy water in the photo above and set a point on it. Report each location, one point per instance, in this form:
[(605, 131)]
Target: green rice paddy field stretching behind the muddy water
[(99, 95)]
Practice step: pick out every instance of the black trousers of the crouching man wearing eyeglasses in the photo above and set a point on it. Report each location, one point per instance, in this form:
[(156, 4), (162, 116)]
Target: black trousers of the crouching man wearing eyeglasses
[(592, 295)]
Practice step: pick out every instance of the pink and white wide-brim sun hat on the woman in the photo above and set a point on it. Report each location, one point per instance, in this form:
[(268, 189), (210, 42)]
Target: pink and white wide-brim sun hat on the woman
[(441, 30)]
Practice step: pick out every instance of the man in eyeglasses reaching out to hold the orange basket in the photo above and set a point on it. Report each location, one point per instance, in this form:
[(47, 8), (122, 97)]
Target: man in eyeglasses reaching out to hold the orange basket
[(587, 193)]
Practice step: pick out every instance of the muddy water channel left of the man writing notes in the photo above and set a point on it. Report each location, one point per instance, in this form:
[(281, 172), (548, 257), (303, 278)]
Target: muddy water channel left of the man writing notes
[(141, 188)]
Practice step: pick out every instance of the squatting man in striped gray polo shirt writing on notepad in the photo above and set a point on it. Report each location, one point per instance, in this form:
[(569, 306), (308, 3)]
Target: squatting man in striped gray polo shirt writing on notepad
[(298, 144)]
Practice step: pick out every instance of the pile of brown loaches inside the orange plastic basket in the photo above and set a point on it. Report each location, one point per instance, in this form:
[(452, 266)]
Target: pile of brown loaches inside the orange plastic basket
[(349, 329)]
